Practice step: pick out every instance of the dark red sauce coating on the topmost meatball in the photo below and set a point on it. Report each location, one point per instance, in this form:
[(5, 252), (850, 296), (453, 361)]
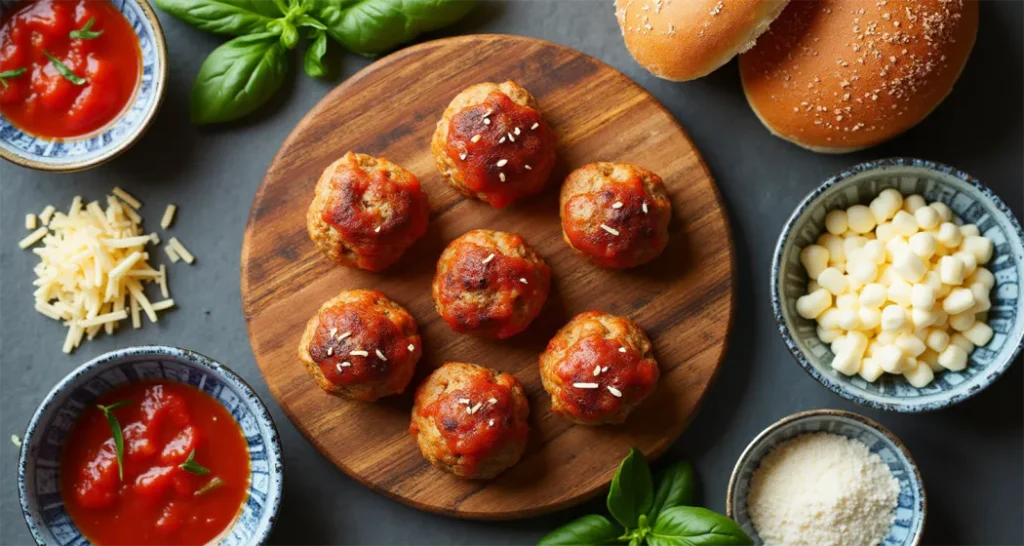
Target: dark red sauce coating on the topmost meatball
[(508, 133)]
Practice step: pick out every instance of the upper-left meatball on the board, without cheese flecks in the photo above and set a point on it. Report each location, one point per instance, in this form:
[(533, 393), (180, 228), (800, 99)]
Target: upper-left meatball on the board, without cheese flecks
[(367, 212)]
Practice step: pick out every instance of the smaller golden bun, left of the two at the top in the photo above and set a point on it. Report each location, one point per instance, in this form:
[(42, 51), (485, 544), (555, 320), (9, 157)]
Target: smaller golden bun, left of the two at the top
[(687, 39)]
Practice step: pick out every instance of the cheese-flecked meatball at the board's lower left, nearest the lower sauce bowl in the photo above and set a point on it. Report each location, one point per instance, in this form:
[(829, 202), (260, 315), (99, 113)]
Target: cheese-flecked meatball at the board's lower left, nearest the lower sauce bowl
[(361, 346)]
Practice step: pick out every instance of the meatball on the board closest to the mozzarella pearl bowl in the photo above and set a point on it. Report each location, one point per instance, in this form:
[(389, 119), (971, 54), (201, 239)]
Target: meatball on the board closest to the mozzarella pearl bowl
[(615, 214)]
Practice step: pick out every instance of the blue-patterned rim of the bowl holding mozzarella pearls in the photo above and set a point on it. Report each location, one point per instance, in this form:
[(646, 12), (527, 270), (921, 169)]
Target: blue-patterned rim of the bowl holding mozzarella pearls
[(777, 300)]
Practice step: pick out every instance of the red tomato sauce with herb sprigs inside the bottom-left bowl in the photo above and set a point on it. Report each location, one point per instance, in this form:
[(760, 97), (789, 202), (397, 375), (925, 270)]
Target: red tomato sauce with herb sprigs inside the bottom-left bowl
[(157, 503)]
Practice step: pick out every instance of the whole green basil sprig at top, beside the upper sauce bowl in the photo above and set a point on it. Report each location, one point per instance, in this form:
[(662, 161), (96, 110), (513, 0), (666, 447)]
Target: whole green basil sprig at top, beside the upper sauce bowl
[(244, 73)]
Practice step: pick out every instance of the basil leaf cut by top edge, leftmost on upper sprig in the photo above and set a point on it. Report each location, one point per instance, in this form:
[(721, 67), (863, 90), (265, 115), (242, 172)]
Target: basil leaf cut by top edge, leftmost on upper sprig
[(232, 18)]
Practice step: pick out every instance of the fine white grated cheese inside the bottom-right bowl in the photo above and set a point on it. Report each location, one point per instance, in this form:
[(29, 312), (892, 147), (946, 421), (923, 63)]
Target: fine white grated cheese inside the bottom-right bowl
[(823, 490)]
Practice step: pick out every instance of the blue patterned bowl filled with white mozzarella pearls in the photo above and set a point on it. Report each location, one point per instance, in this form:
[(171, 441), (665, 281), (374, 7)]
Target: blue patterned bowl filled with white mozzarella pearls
[(897, 285)]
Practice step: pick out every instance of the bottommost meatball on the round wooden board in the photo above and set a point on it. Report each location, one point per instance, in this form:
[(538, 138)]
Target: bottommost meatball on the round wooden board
[(471, 421)]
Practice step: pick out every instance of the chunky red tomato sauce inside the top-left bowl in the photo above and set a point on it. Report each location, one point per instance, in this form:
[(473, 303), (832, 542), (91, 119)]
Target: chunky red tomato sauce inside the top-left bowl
[(42, 102)]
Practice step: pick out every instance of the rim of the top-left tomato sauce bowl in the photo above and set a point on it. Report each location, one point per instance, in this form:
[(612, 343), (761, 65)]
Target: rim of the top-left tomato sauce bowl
[(116, 150)]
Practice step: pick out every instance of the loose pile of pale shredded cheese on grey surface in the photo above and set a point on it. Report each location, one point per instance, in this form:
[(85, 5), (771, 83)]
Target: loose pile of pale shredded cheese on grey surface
[(95, 266)]
